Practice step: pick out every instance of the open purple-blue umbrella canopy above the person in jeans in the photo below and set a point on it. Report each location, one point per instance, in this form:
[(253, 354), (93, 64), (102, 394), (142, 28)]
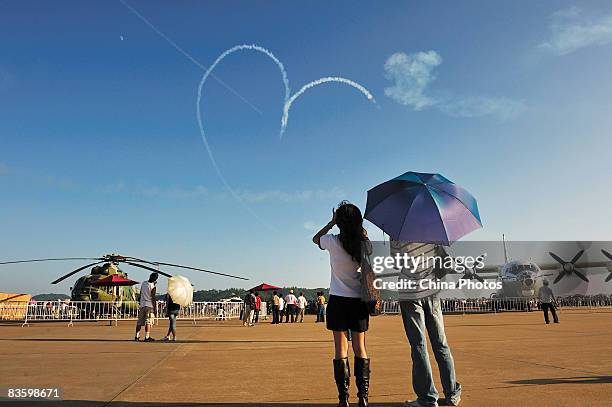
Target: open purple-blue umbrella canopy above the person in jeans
[(421, 207)]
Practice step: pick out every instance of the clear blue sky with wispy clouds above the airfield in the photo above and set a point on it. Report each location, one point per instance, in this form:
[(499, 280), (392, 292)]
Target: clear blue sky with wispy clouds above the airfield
[(101, 150)]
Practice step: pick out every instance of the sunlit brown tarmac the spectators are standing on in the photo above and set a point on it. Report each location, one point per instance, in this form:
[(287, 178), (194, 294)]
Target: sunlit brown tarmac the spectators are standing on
[(509, 359)]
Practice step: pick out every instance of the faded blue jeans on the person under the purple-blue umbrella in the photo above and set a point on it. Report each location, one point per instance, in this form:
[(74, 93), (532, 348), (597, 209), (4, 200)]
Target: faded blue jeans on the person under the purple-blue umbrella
[(424, 317)]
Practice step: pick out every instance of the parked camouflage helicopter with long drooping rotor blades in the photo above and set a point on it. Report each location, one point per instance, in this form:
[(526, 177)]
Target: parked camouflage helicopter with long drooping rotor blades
[(86, 289)]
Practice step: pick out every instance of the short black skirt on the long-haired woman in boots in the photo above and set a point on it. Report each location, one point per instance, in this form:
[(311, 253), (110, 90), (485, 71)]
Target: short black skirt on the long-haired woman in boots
[(344, 313)]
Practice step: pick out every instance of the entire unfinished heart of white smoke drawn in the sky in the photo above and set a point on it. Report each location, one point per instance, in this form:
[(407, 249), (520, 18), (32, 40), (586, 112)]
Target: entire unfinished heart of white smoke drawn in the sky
[(289, 100)]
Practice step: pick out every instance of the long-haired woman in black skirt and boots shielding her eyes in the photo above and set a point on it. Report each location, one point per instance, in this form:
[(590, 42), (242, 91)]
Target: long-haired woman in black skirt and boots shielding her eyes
[(345, 309)]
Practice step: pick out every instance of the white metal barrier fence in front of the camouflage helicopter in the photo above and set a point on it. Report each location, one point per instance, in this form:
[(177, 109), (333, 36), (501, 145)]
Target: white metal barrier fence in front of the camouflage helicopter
[(112, 311)]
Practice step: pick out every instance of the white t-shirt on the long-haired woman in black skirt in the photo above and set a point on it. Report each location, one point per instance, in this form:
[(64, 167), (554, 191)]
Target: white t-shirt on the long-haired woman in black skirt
[(345, 277)]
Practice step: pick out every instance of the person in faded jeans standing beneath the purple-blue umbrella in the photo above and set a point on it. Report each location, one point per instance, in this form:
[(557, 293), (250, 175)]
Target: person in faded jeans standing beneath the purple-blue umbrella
[(422, 315)]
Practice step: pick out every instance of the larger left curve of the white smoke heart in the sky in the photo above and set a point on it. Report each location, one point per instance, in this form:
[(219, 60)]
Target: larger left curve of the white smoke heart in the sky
[(201, 124)]
